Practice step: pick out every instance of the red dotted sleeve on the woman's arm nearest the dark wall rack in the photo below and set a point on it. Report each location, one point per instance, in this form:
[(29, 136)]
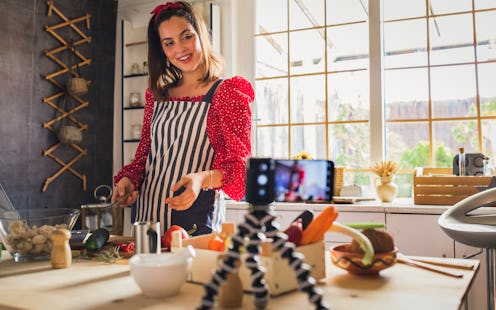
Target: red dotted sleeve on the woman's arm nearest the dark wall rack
[(135, 170)]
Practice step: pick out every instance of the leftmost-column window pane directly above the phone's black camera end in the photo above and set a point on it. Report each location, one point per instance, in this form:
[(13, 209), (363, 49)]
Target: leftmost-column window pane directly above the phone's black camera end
[(272, 142)]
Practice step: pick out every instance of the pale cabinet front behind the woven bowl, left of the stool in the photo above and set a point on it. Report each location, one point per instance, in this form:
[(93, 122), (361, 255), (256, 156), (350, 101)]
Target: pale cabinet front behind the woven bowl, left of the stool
[(419, 234)]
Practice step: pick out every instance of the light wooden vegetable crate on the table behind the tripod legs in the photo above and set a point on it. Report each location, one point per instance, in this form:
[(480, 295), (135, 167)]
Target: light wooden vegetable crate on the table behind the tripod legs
[(279, 276)]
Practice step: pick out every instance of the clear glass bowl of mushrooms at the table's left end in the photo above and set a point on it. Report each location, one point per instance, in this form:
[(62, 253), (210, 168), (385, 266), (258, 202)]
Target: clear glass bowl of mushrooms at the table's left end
[(26, 233)]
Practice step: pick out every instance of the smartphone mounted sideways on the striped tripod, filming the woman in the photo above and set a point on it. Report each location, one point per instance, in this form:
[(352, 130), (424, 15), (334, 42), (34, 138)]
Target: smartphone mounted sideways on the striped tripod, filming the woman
[(287, 180)]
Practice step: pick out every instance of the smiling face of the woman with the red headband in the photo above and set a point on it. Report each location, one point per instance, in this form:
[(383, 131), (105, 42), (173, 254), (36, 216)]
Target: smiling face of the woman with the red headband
[(181, 44)]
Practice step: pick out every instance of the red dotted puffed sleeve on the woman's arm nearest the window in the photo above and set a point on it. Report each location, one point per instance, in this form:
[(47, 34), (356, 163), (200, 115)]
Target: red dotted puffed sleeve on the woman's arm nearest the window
[(229, 131)]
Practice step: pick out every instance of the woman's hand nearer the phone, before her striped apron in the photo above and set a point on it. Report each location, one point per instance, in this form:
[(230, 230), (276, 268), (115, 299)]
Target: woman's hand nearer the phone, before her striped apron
[(191, 184)]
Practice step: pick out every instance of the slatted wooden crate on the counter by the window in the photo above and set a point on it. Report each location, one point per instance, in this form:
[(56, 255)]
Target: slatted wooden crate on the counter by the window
[(438, 186)]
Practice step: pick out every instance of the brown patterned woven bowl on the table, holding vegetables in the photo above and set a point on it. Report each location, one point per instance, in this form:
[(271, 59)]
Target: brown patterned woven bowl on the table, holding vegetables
[(352, 261)]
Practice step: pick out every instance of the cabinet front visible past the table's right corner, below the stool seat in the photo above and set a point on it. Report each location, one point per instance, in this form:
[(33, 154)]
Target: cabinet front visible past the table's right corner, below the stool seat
[(477, 296)]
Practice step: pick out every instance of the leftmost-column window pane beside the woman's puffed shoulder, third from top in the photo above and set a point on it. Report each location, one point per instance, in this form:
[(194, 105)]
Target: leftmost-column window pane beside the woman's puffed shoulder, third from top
[(272, 101)]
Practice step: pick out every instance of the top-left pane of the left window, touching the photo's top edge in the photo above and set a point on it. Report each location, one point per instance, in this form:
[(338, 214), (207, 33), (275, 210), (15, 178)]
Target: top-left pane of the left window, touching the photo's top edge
[(272, 16)]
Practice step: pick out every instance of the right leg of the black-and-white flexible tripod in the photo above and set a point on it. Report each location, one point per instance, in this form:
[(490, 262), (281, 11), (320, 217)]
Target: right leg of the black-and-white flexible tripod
[(306, 282)]
